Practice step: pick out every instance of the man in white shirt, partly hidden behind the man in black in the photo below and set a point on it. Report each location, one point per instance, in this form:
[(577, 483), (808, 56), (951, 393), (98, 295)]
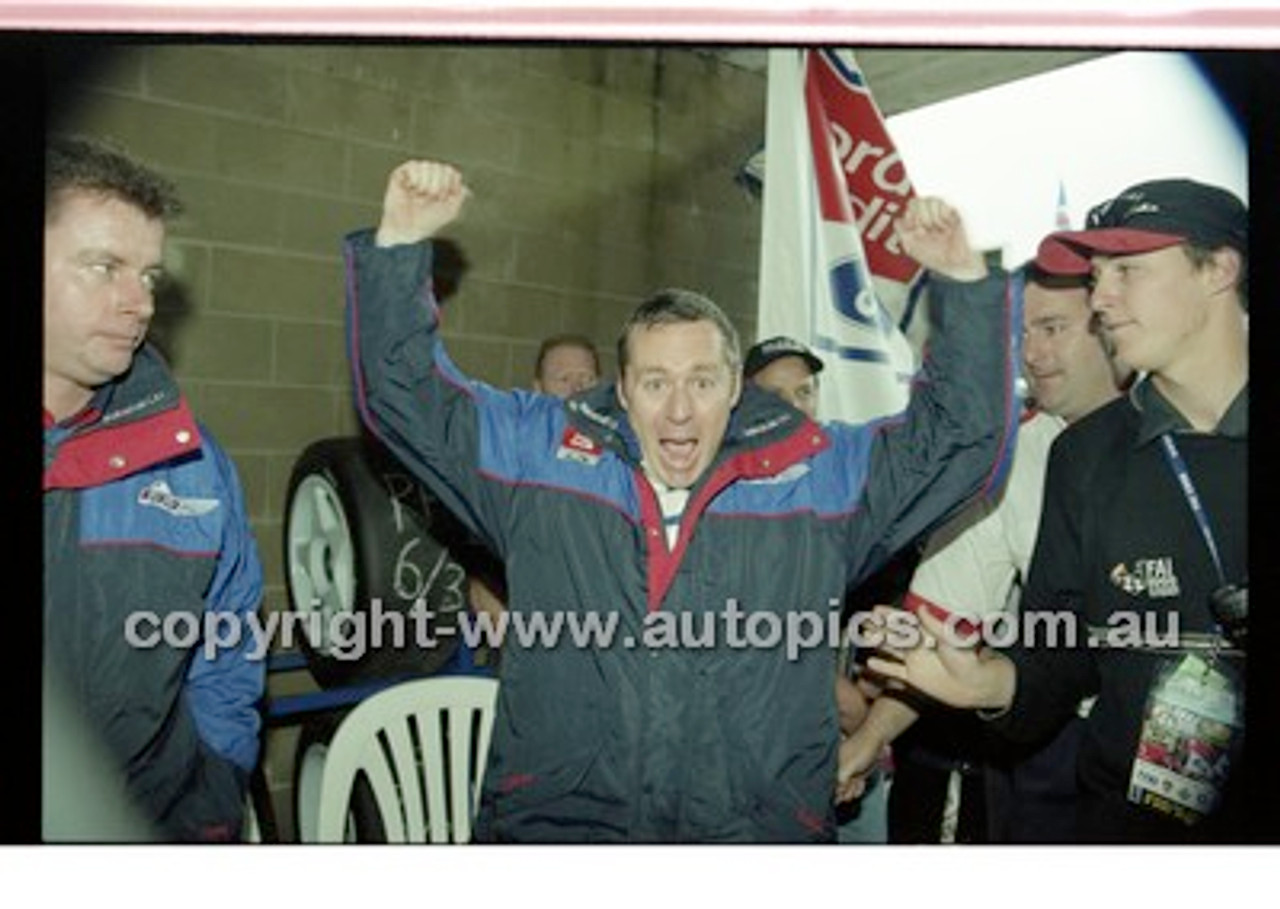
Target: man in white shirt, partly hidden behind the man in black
[(953, 783)]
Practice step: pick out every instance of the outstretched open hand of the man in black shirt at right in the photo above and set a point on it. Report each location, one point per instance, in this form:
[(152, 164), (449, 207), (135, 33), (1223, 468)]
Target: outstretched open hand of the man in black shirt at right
[(940, 668)]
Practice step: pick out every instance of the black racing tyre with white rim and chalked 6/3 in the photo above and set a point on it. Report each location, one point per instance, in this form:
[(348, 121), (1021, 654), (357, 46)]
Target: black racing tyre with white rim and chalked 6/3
[(359, 558)]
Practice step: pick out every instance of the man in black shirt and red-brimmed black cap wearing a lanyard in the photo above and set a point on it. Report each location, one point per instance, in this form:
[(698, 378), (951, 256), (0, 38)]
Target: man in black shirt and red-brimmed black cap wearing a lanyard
[(1142, 549)]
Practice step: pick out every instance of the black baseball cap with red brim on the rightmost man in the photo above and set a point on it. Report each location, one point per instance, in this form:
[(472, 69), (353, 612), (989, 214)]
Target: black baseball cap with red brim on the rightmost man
[(1146, 218)]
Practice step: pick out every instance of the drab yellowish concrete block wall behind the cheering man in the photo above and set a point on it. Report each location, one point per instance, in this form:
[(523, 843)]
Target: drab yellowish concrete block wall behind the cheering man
[(600, 176)]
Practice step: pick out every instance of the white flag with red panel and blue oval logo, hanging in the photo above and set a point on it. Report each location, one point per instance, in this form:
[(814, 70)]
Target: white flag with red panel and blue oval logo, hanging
[(831, 272)]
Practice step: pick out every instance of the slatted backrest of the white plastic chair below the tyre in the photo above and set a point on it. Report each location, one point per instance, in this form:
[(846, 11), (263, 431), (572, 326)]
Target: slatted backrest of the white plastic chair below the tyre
[(423, 748)]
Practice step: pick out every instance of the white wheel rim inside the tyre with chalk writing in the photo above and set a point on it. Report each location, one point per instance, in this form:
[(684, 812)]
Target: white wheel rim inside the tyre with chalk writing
[(322, 560)]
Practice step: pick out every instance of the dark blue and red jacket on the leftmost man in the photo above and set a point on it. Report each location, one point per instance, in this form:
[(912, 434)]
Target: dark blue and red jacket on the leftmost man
[(144, 514)]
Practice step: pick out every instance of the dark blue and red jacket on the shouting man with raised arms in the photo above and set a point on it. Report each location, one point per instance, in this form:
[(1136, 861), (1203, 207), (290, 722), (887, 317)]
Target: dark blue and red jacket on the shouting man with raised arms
[(634, 741)]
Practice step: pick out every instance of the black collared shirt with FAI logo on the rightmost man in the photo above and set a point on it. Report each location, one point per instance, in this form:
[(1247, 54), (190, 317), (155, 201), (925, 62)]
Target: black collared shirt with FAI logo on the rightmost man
[(1119, 549)]
